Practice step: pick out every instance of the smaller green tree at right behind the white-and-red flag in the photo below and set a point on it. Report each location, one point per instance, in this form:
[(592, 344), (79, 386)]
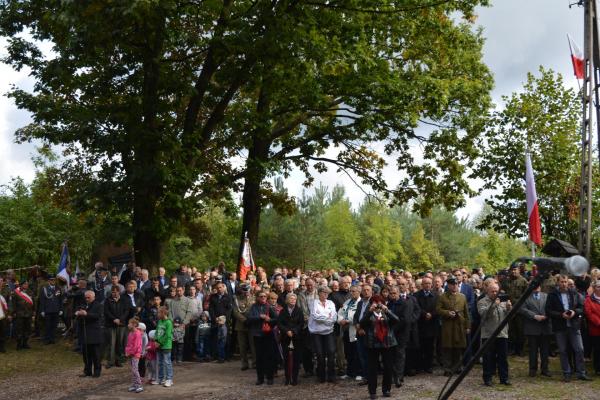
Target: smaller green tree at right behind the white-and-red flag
[(543, 118)]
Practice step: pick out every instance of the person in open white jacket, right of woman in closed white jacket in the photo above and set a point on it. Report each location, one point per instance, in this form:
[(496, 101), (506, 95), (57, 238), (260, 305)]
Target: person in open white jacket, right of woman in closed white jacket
[(348, 330)]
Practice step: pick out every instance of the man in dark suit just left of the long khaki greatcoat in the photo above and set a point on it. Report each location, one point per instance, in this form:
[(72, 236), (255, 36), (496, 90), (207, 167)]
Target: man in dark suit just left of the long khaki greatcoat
[(428, 324)]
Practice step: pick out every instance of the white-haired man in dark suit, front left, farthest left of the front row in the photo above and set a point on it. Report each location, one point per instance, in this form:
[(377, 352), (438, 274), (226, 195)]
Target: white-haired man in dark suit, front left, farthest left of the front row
[(90, 319)]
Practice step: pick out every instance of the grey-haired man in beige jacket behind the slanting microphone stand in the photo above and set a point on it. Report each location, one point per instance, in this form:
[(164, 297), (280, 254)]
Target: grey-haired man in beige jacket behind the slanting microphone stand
[(492, 311)]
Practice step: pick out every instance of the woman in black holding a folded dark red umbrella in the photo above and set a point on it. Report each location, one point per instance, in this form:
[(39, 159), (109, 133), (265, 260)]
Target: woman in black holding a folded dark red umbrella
[(261, 320)]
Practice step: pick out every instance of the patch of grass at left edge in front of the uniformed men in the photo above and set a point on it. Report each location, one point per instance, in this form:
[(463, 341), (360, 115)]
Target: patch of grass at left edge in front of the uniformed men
[(38, 359)]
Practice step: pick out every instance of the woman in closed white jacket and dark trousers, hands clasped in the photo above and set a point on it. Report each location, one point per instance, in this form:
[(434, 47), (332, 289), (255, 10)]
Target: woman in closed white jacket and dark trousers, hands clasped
[(320, 325)]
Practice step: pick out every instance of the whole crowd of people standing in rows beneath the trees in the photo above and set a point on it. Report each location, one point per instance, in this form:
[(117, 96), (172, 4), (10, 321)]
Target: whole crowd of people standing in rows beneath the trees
[(330, 324)]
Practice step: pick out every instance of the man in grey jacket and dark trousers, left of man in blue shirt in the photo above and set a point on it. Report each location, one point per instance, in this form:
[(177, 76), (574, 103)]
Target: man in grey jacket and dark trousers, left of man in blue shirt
[(537, 329)]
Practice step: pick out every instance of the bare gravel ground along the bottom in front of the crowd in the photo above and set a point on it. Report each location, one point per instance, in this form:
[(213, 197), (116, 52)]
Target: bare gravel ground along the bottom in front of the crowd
[(227, 382)]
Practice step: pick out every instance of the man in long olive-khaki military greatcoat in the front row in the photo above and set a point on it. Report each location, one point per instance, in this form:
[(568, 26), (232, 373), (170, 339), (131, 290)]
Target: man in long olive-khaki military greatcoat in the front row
[(453, 310)]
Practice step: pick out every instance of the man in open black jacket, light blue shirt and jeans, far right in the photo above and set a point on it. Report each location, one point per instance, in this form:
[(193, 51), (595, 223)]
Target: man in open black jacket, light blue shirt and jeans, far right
[(565, 308)]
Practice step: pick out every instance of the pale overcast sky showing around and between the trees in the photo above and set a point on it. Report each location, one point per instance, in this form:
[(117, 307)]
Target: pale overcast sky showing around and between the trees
[(520, 36)]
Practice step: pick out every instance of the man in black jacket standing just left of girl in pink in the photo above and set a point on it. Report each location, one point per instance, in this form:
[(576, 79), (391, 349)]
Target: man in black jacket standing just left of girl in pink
[(116, 312)]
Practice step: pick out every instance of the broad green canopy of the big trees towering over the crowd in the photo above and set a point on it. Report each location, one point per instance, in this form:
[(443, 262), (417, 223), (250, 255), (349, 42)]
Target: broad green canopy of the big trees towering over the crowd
[(151, 110)]
